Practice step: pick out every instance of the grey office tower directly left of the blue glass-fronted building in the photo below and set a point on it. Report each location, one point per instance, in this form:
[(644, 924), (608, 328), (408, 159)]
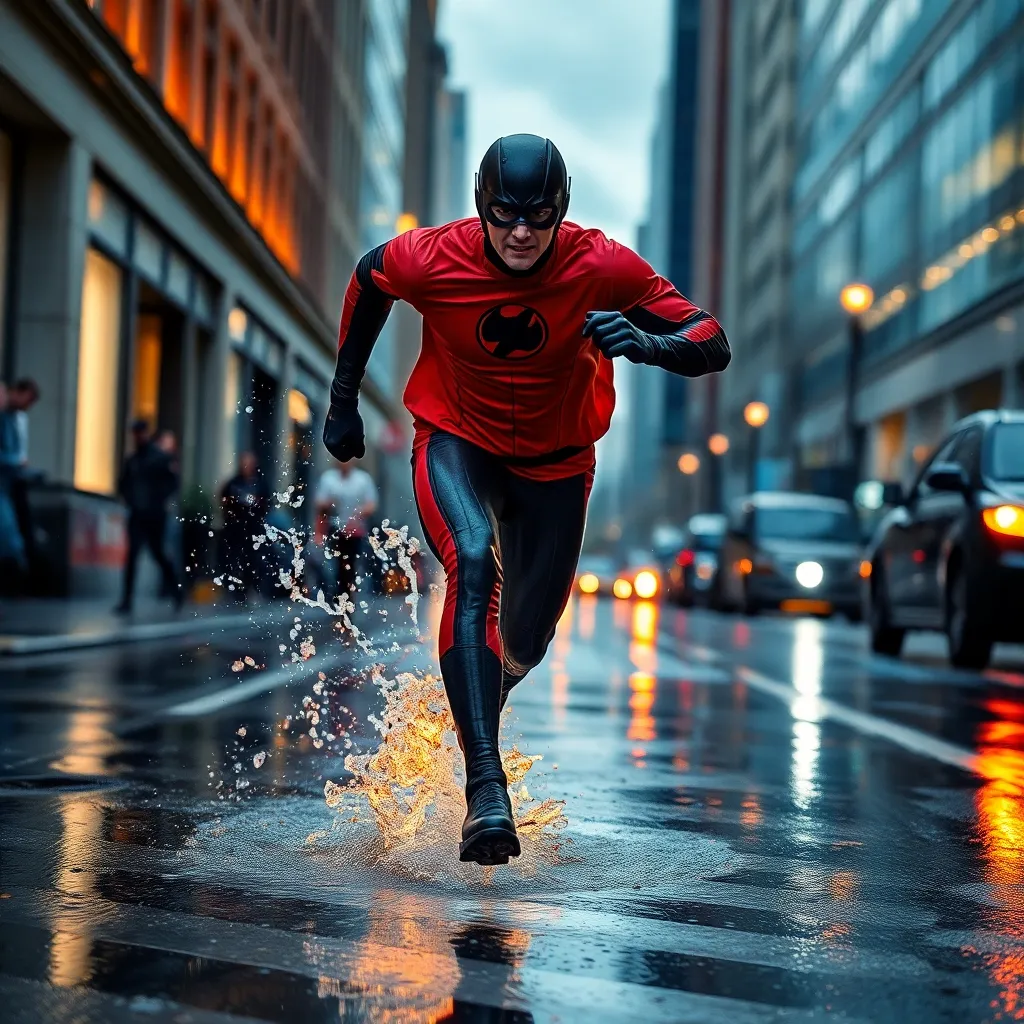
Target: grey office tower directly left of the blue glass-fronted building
[(746, 152)]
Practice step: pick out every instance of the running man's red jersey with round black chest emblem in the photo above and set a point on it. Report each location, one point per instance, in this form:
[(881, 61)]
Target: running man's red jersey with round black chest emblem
[(504, 364)]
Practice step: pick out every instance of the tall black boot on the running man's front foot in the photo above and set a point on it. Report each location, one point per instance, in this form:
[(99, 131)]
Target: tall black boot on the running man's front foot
[(473, 681)]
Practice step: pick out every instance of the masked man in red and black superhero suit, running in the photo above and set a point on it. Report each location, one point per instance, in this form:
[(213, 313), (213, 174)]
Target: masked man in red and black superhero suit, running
[(523, 316)]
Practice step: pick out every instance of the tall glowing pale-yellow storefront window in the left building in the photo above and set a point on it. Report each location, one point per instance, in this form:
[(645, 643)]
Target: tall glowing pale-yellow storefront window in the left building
[(99, 352)]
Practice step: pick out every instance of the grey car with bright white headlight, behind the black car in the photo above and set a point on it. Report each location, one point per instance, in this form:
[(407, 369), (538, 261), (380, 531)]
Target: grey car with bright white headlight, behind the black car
[(795, 552)]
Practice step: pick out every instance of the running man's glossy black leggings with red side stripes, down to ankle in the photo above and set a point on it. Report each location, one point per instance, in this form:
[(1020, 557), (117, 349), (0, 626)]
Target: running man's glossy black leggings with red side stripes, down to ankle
[(509, 547)]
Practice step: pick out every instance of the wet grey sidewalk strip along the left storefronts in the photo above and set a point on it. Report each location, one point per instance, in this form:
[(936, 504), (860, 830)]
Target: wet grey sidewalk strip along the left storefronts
[(32, 626)]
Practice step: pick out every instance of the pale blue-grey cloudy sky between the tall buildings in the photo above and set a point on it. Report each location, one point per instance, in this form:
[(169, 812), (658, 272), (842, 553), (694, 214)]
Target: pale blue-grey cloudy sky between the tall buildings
[(583, 73)]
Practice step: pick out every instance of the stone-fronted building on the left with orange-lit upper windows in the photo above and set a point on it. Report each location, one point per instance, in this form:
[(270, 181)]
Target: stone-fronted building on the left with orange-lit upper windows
[(165, 168)]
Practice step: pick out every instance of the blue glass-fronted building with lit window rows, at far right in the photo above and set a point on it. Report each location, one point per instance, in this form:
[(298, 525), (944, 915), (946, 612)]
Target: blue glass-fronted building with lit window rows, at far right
[(910, 136)]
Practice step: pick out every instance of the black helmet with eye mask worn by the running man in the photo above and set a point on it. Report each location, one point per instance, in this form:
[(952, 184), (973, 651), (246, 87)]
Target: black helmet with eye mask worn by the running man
[(524, 179)]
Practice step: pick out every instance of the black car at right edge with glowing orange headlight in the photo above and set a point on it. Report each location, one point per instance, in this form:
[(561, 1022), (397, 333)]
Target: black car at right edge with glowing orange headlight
[(951, 556)]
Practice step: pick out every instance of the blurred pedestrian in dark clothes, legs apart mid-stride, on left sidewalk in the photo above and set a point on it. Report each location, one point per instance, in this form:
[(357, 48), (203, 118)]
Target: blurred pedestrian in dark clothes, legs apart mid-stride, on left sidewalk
[(147, 485)]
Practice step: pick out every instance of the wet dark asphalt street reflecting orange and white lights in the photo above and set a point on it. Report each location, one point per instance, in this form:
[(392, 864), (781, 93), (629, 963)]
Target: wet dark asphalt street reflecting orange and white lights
[(765, 823)]
